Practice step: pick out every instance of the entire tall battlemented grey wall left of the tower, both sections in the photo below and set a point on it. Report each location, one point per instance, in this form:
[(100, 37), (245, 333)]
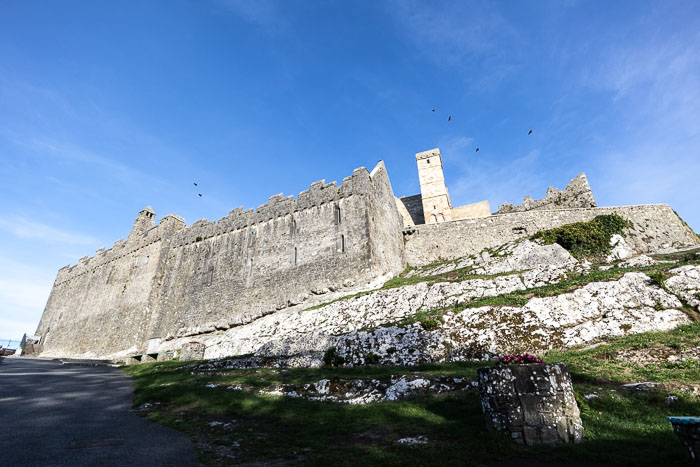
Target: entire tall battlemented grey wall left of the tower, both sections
[(245, 265)]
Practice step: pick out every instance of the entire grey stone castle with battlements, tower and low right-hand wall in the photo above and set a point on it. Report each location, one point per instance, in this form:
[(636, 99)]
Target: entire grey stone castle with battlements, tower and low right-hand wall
[(170, 280)]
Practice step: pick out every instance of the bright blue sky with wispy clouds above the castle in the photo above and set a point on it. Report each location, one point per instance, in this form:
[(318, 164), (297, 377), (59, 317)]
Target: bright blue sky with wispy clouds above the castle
[(107, 107)]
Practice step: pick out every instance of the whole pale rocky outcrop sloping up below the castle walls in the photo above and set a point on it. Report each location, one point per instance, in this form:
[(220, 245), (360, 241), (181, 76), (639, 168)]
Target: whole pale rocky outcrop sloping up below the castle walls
[(434, 317)]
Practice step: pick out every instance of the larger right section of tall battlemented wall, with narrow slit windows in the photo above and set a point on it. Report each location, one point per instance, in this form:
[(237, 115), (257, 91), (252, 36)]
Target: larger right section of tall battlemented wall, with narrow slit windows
[(239, 275)]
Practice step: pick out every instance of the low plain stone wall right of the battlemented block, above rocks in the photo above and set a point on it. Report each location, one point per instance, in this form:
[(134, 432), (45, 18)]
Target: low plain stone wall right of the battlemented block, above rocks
[(654, 227)]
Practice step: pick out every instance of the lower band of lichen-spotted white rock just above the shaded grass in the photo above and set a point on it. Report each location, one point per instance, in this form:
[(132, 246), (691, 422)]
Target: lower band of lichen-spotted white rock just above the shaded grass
[(599, 310)]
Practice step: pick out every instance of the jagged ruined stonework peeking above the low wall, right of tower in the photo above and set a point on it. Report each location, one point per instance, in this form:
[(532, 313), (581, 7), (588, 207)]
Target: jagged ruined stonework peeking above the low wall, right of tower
[(577, 194)]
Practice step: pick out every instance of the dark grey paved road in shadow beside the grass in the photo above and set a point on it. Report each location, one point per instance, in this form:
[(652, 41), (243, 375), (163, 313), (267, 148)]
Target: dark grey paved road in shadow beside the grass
[(53, 414)]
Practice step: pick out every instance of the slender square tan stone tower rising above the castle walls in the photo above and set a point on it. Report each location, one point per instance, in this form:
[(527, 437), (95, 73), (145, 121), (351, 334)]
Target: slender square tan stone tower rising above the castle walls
[(436, 200)]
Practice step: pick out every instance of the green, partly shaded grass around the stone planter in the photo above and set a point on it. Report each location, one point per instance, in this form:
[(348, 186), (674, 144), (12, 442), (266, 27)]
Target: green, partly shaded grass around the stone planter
[(622, 427)]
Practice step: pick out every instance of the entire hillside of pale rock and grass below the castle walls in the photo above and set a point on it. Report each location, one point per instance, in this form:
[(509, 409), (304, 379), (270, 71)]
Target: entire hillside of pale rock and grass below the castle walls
[(388, 375)]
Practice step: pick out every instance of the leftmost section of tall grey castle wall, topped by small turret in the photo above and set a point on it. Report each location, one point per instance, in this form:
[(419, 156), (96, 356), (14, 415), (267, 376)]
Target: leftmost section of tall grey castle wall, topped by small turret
[(103, 302)]
